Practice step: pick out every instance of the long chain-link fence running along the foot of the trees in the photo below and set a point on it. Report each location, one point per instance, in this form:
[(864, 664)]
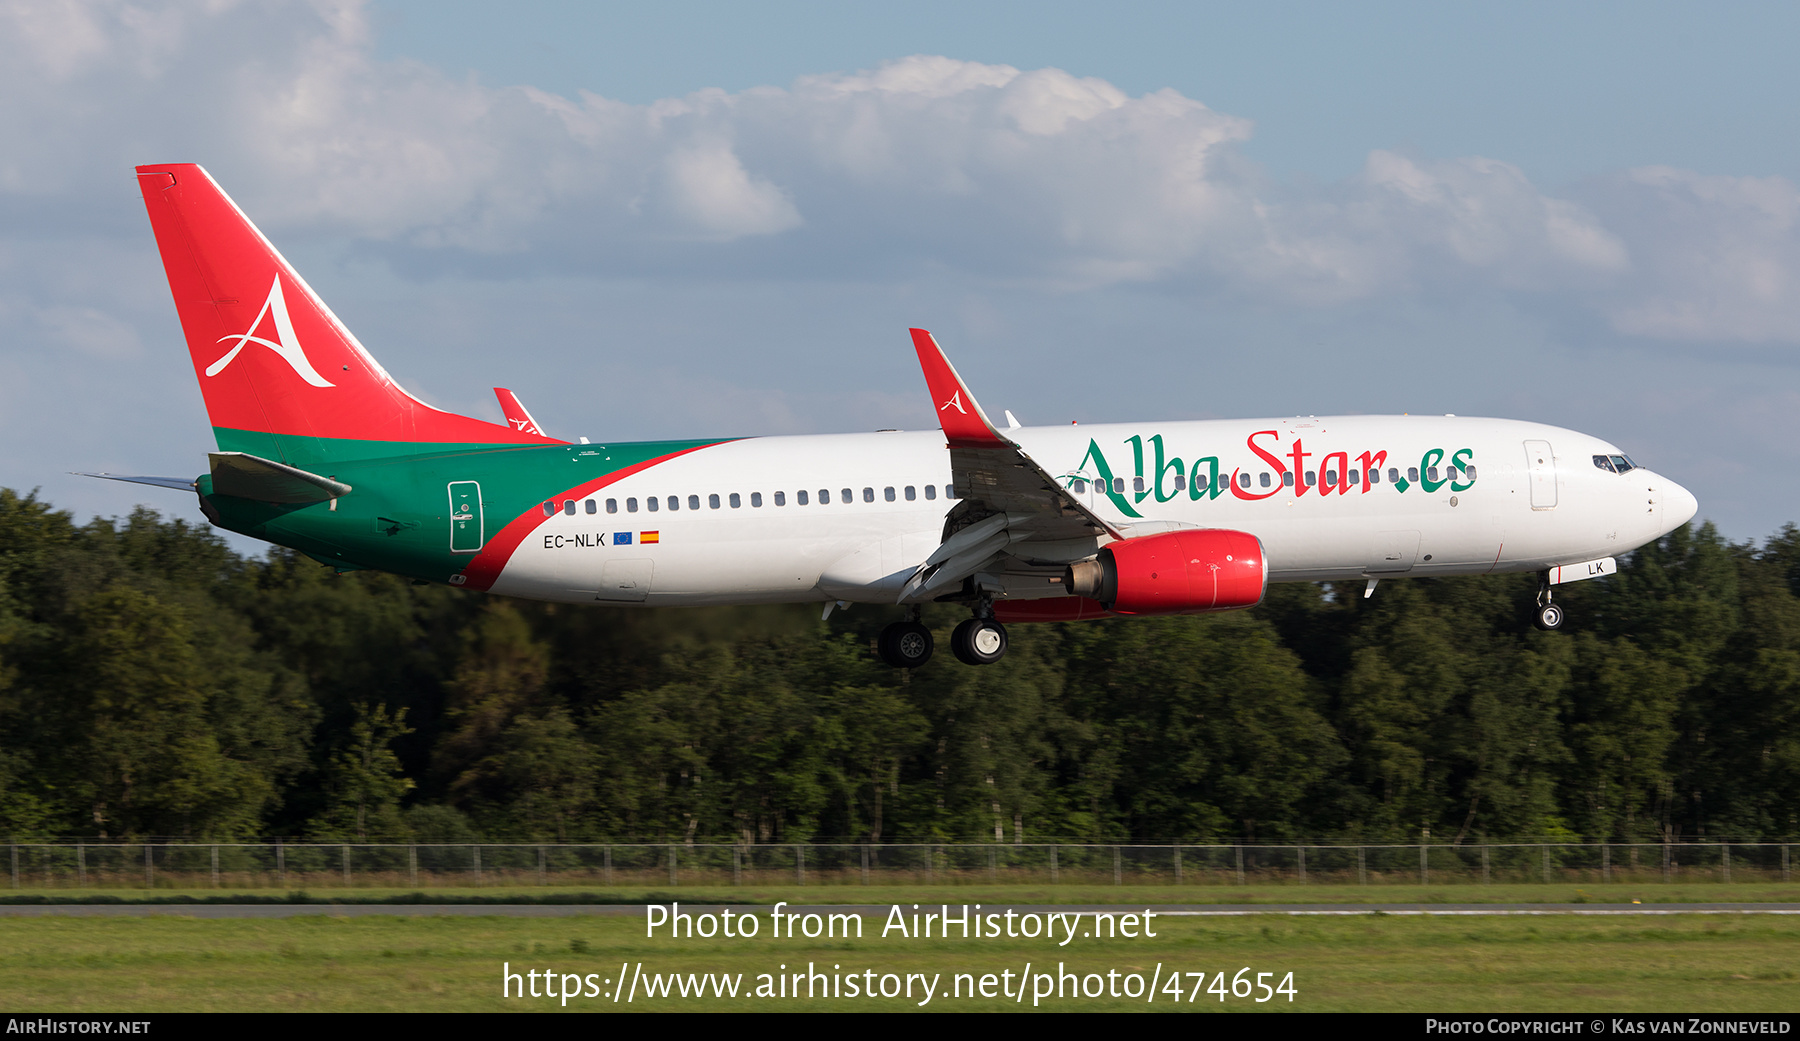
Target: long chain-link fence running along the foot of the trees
[(366, 865)]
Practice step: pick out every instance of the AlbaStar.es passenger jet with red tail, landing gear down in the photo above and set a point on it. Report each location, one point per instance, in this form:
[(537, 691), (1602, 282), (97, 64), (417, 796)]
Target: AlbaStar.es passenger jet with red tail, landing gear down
[(321, 451)]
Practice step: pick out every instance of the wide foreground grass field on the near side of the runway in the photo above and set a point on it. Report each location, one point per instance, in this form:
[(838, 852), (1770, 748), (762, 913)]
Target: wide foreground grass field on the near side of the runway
[(442, 964)]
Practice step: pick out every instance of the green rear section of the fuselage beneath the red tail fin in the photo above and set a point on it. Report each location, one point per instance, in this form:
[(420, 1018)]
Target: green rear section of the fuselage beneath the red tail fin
[(397, 516)]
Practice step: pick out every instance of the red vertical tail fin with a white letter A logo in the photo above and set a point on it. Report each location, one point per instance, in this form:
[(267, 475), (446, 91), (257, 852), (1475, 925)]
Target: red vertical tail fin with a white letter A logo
[(278, 370)]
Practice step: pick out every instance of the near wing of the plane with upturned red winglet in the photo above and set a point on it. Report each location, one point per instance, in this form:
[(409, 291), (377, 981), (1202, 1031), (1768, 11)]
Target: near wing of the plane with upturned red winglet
[(1005, 496)]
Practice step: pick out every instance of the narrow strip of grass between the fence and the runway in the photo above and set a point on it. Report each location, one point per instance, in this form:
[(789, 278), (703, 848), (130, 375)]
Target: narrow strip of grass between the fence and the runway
[(1014, 894)]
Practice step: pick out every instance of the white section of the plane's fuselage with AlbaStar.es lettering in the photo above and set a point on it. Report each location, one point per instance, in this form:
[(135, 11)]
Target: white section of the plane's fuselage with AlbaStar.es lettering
[(1522, 498)]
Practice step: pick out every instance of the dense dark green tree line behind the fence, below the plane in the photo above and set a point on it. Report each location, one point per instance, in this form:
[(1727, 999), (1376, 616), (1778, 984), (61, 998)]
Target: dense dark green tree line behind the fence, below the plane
[(157, 683)]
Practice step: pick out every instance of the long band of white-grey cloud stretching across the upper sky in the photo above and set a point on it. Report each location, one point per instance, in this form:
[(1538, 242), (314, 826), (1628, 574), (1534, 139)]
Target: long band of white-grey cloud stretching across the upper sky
[(1018, 177)]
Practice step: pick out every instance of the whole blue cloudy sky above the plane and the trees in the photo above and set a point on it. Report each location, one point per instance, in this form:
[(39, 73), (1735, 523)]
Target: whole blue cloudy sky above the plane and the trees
[(721, 219)]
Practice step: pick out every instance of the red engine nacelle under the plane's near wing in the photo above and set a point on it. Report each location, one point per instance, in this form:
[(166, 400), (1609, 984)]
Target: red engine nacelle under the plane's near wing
[(1174, 574)]
